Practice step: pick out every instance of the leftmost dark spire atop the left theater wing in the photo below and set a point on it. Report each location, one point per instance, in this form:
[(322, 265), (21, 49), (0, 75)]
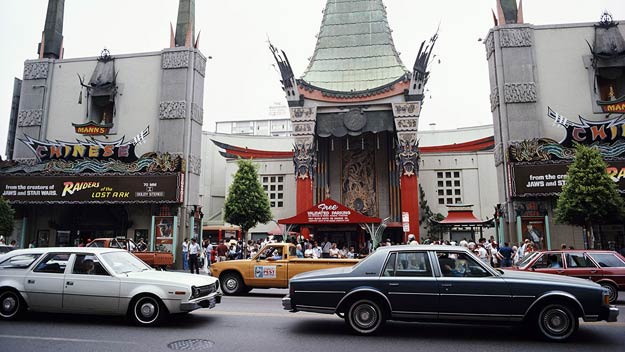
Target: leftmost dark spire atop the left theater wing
[(51, 45)]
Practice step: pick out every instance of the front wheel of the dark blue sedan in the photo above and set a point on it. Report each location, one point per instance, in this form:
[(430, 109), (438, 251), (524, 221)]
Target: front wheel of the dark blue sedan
[(556, 322)]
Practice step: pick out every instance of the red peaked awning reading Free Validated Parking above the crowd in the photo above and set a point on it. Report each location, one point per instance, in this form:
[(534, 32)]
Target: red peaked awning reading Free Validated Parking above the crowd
[(329, 212)]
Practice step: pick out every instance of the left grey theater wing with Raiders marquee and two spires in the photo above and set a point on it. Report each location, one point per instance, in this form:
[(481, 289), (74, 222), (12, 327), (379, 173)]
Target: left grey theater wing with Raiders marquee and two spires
[(107, 146)]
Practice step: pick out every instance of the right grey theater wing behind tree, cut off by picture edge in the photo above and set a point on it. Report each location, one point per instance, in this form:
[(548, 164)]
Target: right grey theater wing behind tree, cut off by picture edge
[(554, 86)]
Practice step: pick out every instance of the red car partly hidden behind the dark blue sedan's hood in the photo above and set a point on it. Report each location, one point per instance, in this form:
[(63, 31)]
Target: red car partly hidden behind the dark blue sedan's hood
[(606, 268)]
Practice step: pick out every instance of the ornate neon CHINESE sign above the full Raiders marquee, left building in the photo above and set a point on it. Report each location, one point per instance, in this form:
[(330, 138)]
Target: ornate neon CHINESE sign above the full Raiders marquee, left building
[(88, 149)]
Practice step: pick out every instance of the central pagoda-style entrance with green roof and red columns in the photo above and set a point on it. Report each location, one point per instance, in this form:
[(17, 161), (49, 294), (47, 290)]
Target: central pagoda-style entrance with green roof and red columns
[(355, 115)]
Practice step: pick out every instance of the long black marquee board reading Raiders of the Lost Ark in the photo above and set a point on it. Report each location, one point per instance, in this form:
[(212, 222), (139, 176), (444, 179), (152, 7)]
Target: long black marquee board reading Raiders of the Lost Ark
[(96, 189)]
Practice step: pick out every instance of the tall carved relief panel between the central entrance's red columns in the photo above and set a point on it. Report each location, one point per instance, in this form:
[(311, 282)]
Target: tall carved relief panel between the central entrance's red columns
[(358, 184)]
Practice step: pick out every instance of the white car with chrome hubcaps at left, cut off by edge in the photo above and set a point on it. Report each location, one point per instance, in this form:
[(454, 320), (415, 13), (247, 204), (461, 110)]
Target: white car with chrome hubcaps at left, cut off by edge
[(98, 281)]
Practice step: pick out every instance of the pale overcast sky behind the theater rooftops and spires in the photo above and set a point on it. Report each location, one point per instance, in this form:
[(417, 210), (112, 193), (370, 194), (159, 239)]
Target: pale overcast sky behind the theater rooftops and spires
[(241, 81)]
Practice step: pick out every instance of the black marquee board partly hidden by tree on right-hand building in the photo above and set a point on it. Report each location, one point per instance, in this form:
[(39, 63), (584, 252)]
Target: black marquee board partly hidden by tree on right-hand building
[(547, 179)]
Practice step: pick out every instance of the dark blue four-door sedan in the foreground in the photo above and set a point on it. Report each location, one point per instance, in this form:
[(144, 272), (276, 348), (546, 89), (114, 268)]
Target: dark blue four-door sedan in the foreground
[(447, 284)]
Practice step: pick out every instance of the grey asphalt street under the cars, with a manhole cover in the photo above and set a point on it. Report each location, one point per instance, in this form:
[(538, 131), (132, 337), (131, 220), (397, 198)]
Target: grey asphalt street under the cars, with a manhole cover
[(257, 323)]
